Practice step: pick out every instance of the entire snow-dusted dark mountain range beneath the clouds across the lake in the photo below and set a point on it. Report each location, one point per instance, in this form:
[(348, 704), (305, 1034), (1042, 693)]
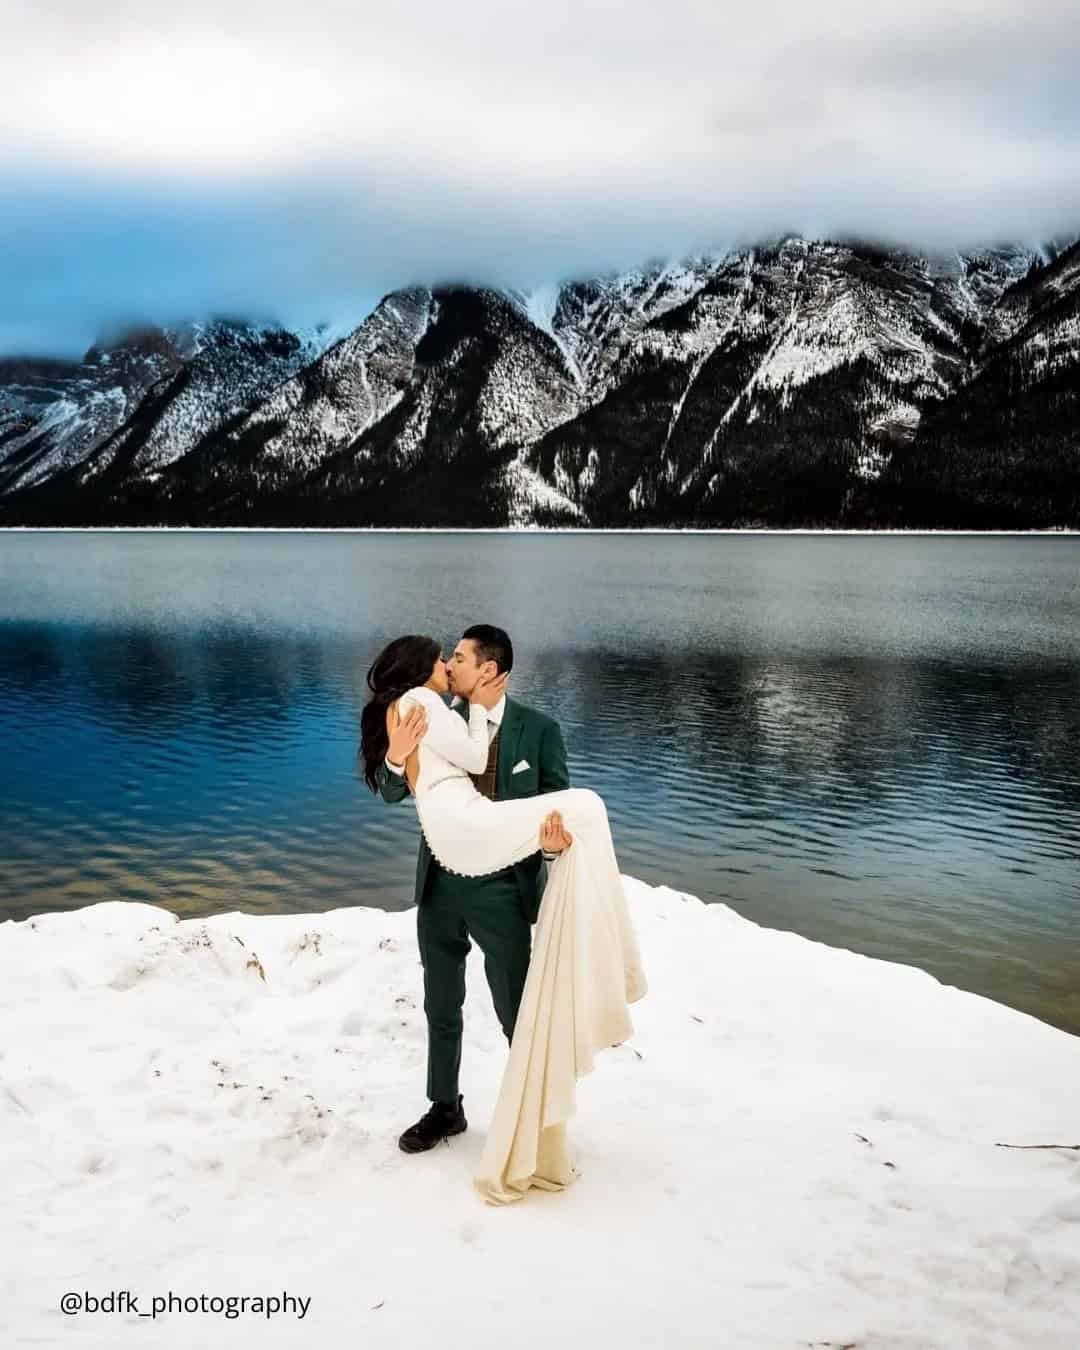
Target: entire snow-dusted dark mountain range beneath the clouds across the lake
[(793, 383)]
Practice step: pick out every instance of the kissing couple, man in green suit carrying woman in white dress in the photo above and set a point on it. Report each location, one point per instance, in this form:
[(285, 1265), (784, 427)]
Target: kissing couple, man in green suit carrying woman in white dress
[(506, 844)]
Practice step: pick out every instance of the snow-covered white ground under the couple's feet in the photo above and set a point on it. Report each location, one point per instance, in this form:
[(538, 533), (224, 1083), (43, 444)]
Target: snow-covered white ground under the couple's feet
[(797, 1150)]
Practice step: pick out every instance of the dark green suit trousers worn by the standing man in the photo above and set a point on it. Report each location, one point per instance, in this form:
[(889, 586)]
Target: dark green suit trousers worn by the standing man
[(454, 909)]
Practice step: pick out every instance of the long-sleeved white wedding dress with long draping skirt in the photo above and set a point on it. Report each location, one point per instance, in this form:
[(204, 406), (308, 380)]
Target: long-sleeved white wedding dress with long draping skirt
[(585, 966)]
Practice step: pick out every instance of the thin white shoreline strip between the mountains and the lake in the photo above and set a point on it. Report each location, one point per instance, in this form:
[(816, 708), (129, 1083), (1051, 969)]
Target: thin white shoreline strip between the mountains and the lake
[(495, 530)]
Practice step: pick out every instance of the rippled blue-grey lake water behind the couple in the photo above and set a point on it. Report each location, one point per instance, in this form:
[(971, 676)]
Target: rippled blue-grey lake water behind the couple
[(870, 740)]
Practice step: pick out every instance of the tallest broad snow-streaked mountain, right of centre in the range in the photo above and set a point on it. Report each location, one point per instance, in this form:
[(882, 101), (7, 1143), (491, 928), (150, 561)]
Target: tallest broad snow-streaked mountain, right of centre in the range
[(782, 387)]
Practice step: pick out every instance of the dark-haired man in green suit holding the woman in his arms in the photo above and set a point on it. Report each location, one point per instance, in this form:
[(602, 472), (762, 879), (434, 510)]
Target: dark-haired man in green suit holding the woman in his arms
[(527, 758)]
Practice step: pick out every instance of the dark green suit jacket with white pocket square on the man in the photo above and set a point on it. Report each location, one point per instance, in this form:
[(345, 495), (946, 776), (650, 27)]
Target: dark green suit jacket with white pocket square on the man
[(524, 735)]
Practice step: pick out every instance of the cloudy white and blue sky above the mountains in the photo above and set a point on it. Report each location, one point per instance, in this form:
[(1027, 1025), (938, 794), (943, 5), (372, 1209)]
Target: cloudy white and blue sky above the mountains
[(296, 161)]
